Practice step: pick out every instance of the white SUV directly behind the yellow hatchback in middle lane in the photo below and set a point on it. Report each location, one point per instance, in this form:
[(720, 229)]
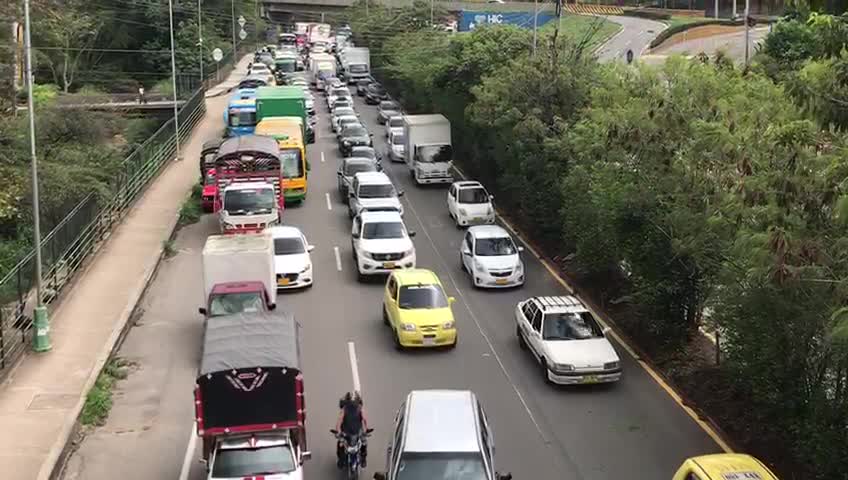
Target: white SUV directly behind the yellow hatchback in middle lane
[(381, 243)]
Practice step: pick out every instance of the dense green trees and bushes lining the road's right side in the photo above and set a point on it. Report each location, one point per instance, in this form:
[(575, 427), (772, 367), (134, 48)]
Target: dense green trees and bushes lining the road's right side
[(695, 195)]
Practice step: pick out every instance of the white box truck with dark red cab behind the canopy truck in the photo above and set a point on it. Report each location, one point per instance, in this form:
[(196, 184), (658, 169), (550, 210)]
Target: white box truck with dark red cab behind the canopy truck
[(238, 274)]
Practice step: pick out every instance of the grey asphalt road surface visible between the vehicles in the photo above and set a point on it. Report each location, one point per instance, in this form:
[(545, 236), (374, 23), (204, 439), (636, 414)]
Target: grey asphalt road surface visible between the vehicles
[(630, 430)]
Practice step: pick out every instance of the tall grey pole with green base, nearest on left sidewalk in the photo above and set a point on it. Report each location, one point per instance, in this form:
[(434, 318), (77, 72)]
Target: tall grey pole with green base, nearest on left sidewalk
[(41, 339)]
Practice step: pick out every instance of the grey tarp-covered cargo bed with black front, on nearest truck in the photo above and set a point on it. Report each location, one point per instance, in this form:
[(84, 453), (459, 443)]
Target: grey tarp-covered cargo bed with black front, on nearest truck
[(249, 374)]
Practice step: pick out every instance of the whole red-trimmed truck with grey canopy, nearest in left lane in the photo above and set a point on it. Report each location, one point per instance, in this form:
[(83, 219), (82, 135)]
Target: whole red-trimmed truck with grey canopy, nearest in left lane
[(249, 397)]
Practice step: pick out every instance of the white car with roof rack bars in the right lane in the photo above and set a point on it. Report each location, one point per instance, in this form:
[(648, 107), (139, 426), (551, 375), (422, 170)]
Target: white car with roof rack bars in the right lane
[(567, 340)]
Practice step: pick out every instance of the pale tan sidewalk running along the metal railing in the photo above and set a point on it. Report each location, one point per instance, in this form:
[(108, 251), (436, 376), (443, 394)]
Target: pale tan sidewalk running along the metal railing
[(42, 398)]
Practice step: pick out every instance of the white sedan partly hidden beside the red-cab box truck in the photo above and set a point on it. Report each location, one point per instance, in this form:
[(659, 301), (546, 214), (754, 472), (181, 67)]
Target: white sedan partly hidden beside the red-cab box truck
[(292, 262)]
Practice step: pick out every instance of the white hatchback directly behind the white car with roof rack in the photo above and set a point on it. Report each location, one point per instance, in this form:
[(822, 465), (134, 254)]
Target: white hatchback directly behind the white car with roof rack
[(492, 259)]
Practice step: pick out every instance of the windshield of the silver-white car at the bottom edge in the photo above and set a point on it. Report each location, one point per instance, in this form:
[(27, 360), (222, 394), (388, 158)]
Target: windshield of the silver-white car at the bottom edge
[(430, 465)]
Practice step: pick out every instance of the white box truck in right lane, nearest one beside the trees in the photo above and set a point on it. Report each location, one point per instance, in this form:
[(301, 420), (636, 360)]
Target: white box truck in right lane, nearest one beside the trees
[(429, 153)]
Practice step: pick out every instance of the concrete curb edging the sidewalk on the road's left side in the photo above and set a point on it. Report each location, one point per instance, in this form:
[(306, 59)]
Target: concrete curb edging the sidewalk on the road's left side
[(52, 467)]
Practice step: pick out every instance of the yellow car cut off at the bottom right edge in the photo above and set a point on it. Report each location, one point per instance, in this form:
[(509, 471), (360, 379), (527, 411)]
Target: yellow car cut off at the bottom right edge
[(723, 466)]
